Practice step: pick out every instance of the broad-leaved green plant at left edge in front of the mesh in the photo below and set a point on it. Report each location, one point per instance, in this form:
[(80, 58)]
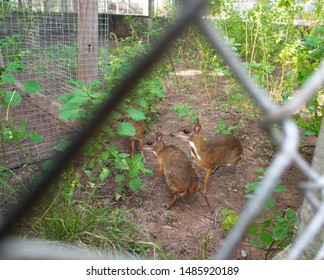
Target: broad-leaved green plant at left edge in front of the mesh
[(12, 130)]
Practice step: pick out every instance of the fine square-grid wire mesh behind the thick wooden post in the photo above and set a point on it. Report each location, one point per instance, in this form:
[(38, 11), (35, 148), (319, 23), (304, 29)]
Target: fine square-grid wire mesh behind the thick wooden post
[(43, 38)]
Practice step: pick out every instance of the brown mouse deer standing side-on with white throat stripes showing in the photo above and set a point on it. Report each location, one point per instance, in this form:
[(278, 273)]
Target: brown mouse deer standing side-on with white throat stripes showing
[(220, 150)]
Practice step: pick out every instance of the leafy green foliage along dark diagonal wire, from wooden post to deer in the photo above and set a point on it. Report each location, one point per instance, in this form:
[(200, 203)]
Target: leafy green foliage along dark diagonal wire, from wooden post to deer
[(103, 162)]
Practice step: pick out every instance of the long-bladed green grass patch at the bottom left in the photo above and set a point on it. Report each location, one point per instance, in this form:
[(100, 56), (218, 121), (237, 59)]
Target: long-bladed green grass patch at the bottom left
[(88, 221)]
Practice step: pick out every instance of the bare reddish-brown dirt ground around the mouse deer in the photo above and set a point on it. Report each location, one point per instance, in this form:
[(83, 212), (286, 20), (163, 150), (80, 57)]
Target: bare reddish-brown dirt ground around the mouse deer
[(187, 230)]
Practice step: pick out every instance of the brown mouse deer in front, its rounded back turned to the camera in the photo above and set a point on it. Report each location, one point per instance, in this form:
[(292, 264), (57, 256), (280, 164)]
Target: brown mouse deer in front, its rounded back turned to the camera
[(176, 166)]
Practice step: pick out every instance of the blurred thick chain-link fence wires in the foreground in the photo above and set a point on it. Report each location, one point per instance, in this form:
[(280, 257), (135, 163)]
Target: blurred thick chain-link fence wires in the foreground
[(286, 137)]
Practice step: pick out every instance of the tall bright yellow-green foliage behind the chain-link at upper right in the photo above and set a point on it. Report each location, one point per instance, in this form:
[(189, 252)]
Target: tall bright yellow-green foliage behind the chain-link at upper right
[(276, 53)]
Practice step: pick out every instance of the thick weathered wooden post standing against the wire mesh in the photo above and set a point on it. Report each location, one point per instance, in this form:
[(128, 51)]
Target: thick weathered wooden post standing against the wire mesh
[(88, 40)]
